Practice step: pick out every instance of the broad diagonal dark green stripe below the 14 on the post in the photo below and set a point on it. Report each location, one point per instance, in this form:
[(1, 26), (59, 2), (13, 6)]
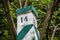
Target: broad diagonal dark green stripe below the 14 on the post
[(24, 31)]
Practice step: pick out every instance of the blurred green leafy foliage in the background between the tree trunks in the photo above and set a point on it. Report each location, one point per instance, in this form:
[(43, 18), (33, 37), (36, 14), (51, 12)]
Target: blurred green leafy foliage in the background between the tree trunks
[(41, 7)]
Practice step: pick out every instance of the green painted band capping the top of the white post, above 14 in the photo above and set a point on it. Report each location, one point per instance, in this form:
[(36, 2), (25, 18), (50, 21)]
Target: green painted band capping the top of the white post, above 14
[(26, 9)]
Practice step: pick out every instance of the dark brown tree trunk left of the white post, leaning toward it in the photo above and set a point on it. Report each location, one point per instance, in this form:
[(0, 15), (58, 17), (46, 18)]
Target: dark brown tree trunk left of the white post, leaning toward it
[(10, 18)]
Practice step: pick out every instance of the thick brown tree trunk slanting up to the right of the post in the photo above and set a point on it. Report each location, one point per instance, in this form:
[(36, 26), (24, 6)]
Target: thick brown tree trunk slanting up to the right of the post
[(47, 18)]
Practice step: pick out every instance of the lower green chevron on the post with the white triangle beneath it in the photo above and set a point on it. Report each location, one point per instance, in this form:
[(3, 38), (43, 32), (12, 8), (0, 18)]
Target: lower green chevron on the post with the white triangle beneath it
[(28, 32)]
